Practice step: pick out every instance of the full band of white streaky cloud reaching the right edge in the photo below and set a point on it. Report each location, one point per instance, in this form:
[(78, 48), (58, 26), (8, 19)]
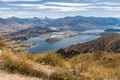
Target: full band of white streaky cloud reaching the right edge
[(67, 7)]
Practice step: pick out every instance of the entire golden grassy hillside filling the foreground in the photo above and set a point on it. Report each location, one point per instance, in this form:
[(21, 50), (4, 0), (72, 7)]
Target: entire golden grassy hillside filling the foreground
[(99, 65)]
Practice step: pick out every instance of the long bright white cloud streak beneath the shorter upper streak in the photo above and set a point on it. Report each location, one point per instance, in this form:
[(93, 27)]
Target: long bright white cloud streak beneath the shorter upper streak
[(52, 7)]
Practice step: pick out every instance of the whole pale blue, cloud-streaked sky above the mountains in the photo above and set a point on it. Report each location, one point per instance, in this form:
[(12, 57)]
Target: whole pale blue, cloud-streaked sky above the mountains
[(59, 8)]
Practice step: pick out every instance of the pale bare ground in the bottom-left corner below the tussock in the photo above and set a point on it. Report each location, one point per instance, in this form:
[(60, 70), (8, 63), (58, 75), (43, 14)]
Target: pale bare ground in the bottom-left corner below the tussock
[(9, 76)]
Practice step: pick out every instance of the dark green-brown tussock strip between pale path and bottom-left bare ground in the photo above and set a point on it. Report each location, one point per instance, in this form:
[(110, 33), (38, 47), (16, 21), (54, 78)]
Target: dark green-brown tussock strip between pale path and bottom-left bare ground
[(20, 66)]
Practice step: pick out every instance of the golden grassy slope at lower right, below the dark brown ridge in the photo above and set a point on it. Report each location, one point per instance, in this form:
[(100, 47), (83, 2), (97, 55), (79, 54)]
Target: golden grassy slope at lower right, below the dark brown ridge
[(98, 65)]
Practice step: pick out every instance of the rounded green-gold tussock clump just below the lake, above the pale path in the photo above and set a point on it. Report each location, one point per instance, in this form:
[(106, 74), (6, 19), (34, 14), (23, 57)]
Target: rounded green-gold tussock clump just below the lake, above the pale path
[(52, 59)]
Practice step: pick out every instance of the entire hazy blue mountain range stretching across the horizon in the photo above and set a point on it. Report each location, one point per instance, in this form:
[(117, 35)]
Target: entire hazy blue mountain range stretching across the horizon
[(67, 23)]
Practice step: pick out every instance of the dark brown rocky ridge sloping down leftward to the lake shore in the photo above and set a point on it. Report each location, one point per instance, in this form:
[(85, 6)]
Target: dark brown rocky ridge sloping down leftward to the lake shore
[(109, 42)]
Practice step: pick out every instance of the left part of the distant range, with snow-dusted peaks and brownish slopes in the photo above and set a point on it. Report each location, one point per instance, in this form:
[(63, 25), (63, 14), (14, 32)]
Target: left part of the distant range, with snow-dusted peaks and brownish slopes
[(14, 24)]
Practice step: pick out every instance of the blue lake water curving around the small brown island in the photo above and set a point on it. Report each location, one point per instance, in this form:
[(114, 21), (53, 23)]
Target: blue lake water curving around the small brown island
[(43, 46)]
